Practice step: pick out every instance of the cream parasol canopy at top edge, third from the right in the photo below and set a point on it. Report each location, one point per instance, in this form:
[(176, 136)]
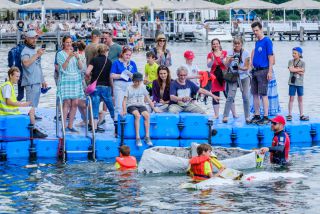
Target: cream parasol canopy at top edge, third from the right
[(197, 5)]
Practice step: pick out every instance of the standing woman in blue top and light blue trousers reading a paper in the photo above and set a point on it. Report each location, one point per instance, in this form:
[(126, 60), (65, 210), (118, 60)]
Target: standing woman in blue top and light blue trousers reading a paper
[(121, 72)]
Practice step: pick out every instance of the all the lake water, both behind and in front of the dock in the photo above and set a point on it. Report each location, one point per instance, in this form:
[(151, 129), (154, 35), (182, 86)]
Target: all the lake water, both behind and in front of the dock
[(94, 187)]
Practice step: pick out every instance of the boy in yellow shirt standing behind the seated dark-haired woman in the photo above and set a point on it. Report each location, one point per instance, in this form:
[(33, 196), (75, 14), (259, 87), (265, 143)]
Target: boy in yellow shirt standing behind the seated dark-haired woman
[(150, 71)]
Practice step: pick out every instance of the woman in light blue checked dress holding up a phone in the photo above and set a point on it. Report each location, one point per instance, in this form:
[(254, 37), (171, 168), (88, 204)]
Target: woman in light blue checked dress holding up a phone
[(70, 83)]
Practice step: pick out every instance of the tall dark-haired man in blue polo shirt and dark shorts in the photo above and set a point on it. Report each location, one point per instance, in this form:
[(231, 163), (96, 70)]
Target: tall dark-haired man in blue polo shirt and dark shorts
[(262, 61)]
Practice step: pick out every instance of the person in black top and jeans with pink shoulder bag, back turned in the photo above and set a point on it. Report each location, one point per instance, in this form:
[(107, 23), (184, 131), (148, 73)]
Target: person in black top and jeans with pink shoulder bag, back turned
[(99, 69)]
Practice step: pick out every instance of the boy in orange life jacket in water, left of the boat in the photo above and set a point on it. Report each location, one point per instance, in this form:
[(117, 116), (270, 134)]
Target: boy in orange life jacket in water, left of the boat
[(125, 161)]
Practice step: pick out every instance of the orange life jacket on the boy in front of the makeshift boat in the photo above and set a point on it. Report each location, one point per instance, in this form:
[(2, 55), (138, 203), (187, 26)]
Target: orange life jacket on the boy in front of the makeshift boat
[(197, 168)]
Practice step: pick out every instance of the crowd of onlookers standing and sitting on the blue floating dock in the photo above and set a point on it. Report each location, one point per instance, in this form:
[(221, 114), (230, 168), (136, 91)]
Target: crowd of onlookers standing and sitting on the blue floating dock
[(105, 71)]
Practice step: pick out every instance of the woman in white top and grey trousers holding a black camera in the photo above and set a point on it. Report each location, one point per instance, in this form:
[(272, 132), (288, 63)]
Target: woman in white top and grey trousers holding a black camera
[(238, 62)]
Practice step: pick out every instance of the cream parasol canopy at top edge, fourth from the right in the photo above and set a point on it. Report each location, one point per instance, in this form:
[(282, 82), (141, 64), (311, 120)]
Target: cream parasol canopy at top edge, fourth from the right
[(151, 4)]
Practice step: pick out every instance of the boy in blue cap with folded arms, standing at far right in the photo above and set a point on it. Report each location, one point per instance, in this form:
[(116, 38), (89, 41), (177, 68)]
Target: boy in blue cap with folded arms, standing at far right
[(296, 68)]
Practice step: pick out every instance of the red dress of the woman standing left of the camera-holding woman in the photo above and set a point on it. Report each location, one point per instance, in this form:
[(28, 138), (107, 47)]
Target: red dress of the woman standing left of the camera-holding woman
[(217, 62)]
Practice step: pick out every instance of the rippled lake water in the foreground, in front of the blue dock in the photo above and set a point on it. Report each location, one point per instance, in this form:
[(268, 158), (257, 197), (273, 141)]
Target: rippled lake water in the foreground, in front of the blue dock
[(88, 187)]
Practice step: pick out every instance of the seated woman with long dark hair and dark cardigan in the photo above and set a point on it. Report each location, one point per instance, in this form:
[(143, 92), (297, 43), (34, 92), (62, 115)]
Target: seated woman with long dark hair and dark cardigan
[(161, 88)]
